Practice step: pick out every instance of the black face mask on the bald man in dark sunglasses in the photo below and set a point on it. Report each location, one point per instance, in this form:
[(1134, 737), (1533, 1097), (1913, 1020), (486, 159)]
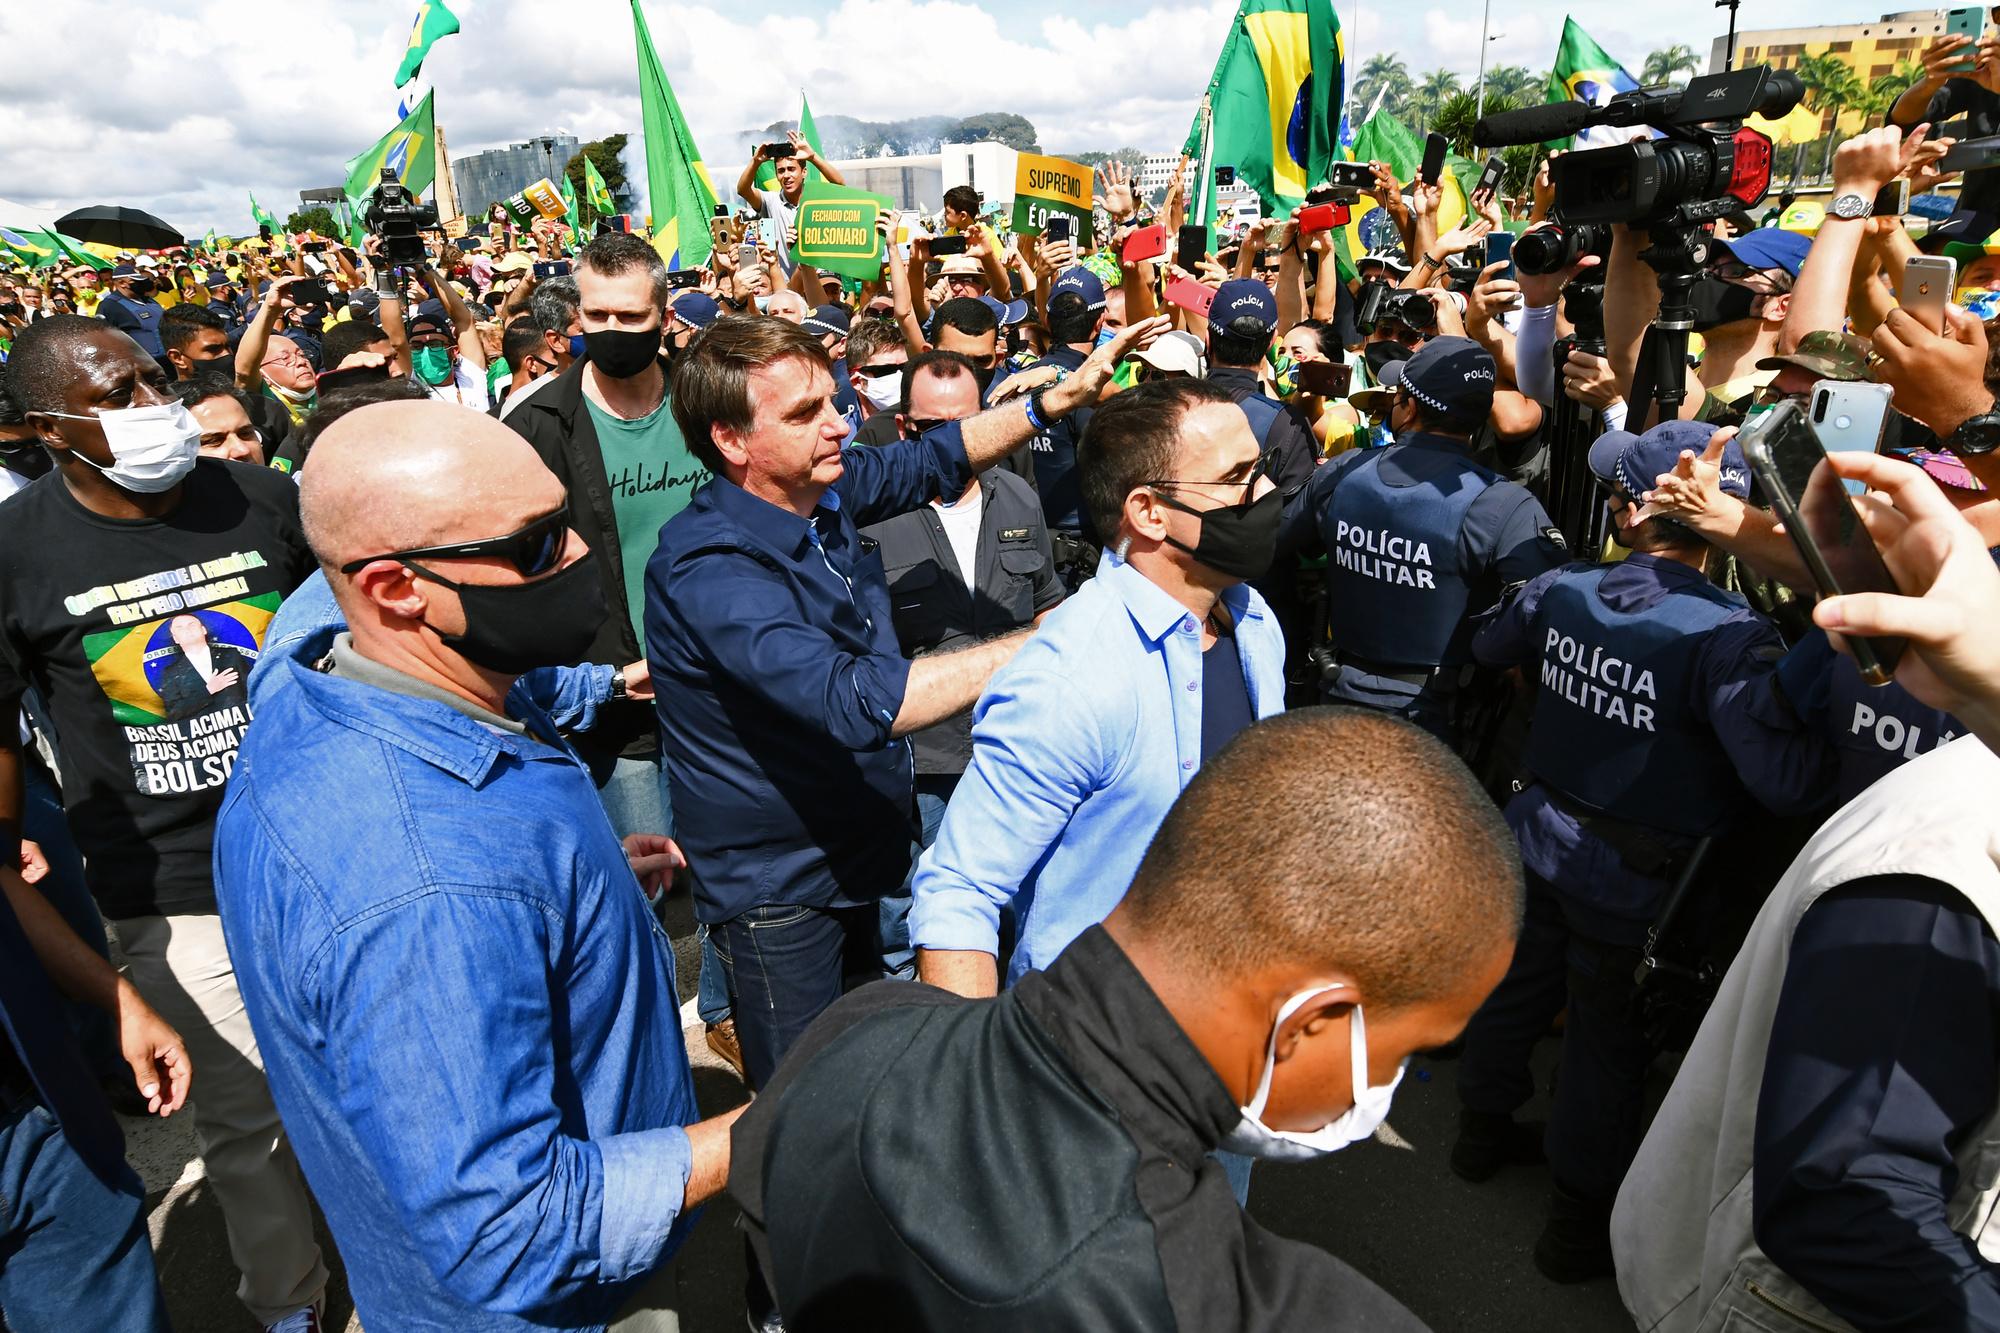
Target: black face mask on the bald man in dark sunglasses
[(517, 627)]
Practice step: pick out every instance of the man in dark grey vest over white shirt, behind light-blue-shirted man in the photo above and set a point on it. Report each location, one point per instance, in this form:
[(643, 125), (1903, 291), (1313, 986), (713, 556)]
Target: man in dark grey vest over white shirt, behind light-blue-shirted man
[(973, 567)]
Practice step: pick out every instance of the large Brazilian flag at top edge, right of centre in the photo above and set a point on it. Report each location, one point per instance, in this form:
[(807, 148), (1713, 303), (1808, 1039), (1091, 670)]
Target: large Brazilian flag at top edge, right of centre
[(1275, 99)]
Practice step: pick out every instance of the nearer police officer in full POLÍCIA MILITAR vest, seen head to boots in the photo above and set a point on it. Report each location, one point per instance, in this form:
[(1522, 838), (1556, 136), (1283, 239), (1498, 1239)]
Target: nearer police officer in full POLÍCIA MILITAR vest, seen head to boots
[(1641, 746)]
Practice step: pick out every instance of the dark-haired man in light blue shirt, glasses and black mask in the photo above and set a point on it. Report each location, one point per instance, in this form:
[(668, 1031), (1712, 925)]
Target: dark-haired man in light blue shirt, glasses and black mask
[(1085, 740)]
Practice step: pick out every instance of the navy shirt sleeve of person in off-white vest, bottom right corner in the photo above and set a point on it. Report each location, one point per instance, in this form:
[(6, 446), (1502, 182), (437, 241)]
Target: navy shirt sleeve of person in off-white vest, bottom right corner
[(1883, 1060)]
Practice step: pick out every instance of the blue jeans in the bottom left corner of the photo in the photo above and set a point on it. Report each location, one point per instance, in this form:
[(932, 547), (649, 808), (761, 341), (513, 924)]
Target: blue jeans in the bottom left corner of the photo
[(73, 1248)]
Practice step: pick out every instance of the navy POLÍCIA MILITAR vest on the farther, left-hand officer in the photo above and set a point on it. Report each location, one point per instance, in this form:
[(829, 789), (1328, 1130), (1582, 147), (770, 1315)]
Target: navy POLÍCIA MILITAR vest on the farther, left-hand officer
[(1395, 589)]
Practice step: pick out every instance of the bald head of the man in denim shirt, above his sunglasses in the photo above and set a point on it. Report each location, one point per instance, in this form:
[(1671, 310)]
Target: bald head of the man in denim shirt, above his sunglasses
[(401, 475)]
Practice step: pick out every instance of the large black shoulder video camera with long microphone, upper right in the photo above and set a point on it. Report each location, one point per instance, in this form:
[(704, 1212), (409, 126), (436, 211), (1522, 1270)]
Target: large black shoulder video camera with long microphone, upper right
[(1705, 161)]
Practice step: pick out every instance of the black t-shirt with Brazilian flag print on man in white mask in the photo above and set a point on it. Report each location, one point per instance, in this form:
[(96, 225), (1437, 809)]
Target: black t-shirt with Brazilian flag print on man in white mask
[(141, 635)]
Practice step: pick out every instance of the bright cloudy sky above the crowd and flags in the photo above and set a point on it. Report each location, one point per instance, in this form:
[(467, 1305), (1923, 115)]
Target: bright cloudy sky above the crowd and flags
[(183, 107)]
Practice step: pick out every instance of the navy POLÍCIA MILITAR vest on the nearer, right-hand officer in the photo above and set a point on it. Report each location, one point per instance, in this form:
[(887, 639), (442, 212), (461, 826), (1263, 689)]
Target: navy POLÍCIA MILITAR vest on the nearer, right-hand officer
[(1615, 726)]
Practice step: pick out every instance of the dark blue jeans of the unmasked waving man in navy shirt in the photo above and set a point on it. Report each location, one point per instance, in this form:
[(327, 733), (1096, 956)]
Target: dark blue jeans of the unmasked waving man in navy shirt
[(787, 966)]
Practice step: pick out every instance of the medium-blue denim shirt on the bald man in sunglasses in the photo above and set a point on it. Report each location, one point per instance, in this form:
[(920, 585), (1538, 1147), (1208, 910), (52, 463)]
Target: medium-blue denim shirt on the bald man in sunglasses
[(465, 1008)]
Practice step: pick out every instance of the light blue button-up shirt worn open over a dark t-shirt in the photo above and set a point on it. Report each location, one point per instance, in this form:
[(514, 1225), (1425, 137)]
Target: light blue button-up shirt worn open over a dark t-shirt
[(1079, 748)]
